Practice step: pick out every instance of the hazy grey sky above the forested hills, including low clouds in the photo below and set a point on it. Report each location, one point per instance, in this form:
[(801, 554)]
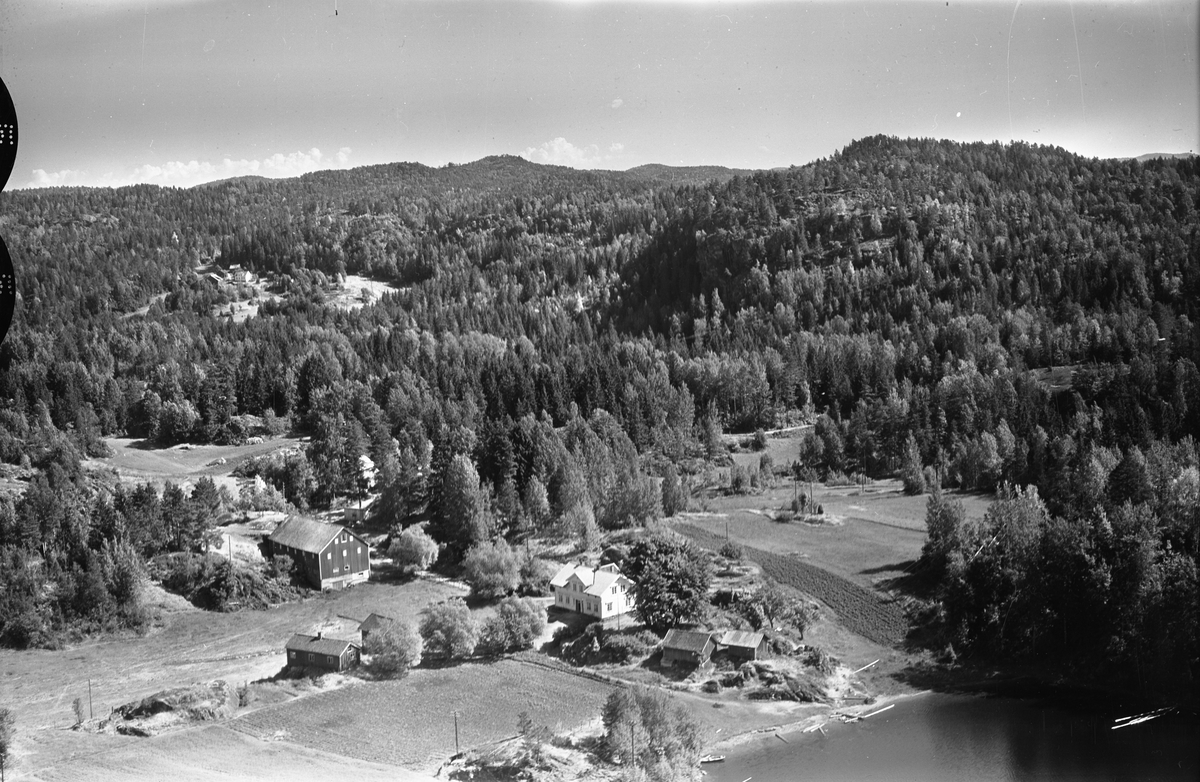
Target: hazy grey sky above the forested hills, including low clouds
[(111, 93)]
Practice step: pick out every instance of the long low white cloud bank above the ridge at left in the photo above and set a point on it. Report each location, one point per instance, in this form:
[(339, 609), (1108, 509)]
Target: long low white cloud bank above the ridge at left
[(185, 175)]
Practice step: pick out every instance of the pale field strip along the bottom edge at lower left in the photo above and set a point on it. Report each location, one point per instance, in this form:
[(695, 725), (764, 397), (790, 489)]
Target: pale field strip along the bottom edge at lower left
[(214, 754)]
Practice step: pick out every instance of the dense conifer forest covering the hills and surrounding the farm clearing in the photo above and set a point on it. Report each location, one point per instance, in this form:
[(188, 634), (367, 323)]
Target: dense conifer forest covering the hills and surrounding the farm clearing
[(556, 341)]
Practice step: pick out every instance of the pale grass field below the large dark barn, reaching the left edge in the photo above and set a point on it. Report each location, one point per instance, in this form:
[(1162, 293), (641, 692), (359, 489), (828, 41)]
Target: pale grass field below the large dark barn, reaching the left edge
[(191, 646)]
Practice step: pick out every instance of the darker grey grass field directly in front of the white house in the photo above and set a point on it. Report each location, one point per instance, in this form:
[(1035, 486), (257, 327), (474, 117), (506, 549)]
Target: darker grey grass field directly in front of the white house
[(411, 721)]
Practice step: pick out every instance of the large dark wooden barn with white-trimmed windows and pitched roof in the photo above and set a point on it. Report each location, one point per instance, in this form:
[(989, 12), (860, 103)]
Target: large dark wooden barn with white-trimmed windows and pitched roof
[(332, 556)]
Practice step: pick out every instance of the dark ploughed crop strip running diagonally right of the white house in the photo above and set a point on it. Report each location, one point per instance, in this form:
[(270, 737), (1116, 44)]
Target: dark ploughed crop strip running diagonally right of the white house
[(861, 611)]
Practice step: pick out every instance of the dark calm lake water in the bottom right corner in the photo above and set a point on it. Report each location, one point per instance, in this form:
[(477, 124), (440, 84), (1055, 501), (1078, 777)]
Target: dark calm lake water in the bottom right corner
[(953, 738)]
